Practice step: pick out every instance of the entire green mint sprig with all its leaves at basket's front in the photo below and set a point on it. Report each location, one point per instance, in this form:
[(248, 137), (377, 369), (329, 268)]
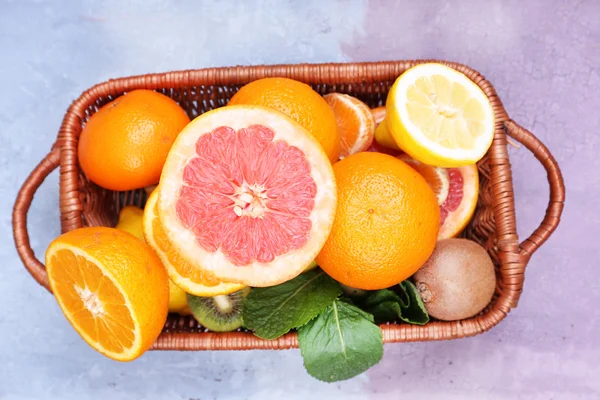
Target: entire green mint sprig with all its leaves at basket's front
[(338, 340)]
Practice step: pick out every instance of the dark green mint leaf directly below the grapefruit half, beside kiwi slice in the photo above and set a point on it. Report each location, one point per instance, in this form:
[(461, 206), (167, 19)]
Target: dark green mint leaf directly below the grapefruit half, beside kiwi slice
[(273, 311)]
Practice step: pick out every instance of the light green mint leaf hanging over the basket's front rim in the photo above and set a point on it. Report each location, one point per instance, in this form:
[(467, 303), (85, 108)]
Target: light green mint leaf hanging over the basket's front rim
[(340, 343)]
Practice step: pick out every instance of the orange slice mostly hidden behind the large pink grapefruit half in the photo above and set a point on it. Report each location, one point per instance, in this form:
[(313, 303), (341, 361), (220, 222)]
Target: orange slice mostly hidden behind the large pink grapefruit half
[(189, 277)]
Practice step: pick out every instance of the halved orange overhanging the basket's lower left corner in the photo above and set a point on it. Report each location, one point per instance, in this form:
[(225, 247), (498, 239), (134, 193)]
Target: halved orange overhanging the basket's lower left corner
[(111, 287)]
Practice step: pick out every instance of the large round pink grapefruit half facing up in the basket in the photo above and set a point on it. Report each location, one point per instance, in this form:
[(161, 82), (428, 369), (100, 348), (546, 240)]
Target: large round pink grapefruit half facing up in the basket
[(247, 194)]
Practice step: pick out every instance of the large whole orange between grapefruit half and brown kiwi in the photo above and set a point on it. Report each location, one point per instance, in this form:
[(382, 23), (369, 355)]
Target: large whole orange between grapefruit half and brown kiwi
[(386, 223)]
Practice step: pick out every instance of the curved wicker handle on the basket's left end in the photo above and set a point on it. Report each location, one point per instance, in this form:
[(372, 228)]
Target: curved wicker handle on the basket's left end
[(20, 210)]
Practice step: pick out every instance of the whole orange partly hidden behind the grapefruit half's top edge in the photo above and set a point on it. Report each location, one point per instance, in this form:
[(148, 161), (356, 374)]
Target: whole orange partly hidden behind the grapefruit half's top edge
[(299, 102)]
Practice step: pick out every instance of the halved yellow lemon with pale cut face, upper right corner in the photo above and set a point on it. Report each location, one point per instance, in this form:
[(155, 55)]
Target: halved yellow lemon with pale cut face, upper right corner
[(439, 116)]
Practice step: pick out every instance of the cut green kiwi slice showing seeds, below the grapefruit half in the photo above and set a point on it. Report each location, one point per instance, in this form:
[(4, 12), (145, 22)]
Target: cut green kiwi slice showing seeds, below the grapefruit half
[(221, 313)]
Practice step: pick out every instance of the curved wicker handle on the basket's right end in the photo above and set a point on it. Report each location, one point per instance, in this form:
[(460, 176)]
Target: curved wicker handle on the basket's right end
[(555, 179)]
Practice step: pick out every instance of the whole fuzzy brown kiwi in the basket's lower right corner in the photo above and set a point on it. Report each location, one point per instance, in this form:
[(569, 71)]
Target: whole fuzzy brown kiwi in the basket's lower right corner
[(458, 280)]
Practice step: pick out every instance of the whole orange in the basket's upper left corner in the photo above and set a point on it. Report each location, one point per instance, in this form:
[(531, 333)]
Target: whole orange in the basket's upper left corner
[(124, 145)]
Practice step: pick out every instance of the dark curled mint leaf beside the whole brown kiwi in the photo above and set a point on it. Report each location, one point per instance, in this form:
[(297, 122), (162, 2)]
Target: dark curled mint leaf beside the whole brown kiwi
[(386, 305)]
